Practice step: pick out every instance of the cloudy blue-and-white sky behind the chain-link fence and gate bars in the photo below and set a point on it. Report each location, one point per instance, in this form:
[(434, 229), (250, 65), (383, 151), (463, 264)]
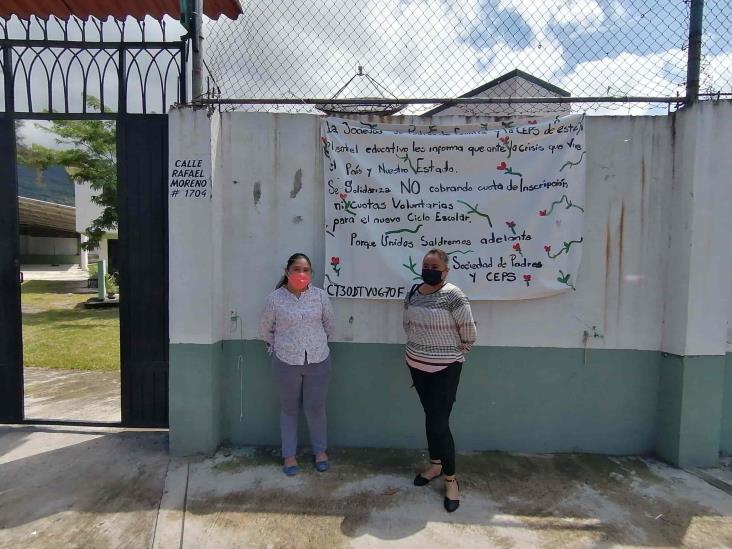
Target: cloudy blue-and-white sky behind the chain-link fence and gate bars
[(427, 48)]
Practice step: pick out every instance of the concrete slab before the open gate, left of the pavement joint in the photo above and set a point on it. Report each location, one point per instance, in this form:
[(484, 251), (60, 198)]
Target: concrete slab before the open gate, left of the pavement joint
[(79, 488)]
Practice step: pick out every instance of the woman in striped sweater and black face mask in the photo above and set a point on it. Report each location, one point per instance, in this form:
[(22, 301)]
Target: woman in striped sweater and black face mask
[(440, 330)]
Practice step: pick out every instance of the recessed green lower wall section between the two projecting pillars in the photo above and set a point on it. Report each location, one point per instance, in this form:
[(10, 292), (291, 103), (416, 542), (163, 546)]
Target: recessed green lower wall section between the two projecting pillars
[(513, 399)]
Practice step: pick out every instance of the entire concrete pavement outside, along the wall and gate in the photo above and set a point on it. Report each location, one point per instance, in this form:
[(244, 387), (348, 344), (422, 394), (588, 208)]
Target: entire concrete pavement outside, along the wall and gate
[(113, 488)]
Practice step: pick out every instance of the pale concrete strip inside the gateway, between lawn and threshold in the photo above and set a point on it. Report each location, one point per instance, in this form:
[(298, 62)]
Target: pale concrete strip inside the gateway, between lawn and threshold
[(52, 393)]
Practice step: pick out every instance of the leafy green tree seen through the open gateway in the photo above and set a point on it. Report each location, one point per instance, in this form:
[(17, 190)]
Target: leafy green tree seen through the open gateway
[(89, 155)]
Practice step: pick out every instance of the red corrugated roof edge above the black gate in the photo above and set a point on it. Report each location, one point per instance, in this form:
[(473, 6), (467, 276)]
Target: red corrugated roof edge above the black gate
[(118, 9)]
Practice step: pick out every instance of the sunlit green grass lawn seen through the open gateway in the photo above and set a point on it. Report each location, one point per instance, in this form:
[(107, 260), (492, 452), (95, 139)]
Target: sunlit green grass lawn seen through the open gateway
[(58, 332)]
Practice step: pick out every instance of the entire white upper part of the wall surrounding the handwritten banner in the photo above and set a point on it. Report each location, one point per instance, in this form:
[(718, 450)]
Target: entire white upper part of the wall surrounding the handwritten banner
[(634, 284)]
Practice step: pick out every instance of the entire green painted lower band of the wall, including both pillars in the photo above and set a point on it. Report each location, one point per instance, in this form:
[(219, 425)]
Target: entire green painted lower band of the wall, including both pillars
[(535, 400)]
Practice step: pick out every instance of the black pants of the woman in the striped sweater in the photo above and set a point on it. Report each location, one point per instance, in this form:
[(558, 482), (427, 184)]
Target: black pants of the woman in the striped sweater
[(437, 394)]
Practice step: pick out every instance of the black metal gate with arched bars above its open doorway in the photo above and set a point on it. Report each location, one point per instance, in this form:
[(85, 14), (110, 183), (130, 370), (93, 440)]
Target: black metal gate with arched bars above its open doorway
[(142, 158)]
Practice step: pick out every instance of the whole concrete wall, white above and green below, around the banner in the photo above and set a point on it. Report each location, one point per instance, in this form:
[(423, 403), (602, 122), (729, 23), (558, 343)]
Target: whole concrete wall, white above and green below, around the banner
[(649, 292)]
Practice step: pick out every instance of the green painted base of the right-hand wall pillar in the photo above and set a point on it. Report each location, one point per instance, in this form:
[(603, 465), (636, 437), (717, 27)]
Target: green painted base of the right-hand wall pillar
[(691, 391)]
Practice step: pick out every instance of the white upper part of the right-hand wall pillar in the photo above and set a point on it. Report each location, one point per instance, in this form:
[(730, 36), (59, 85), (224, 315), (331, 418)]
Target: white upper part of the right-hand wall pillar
[(700, 261)]
